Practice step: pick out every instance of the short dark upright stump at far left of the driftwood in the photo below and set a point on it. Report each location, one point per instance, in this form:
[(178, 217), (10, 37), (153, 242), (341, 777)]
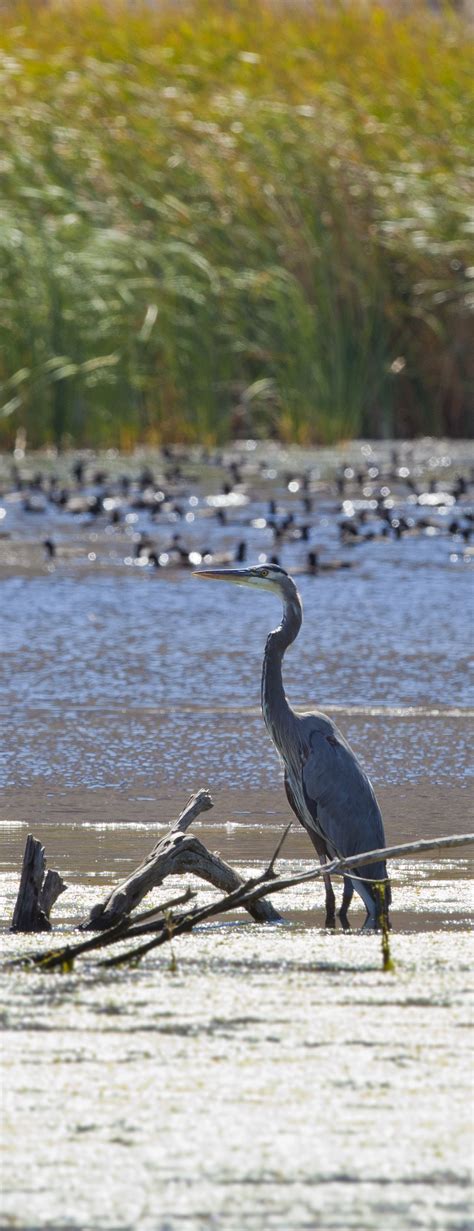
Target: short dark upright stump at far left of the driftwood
[(38, 893)]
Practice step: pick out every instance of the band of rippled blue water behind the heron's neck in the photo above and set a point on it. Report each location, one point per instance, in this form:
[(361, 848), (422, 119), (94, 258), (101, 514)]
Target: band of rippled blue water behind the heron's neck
[(126, 670)]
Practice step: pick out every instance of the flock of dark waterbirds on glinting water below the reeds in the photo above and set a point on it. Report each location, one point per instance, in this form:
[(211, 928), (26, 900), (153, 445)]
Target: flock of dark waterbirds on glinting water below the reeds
[(191, 509)]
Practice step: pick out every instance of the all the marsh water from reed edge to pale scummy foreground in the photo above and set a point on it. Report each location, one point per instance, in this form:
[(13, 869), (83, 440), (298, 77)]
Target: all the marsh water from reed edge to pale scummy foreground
[(278, 1078)]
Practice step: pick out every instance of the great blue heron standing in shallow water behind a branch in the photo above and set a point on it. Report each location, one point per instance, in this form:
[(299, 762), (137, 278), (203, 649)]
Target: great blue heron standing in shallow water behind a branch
[(326, 785)]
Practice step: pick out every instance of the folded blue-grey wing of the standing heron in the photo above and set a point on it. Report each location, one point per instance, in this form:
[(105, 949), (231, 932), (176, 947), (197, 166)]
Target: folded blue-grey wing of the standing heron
[(338, 792)]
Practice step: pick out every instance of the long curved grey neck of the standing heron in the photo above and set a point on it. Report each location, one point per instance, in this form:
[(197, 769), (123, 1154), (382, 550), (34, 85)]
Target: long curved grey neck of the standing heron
[(278, 715)]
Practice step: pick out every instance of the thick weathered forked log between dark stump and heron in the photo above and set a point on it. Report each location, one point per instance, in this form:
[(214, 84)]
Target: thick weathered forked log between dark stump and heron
[(174, 854)]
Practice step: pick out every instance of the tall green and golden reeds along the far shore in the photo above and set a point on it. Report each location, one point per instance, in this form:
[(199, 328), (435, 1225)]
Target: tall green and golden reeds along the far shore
[(233, 219)]
